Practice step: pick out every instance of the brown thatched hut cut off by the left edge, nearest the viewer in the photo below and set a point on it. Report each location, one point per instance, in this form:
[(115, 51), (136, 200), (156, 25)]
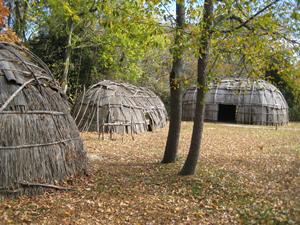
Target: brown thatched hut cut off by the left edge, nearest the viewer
[(39, 141)]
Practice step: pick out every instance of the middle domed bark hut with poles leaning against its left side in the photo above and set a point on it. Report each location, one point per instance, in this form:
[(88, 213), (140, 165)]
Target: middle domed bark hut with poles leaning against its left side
[(120, 108)]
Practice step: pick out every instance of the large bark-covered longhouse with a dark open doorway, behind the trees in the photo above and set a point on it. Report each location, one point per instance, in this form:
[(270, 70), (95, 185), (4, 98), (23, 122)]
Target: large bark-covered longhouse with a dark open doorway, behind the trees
[(243, 101)]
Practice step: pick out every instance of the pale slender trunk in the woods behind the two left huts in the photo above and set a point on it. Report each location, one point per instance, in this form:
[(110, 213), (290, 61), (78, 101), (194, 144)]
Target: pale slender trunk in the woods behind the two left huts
[(64, 80)]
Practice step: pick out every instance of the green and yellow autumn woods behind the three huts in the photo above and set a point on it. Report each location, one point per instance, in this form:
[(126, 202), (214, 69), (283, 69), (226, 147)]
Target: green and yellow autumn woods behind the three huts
[(84, 42)]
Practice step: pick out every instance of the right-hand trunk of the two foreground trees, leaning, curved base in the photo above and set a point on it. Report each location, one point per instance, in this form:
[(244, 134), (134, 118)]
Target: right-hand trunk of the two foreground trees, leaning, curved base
[(190, 164)]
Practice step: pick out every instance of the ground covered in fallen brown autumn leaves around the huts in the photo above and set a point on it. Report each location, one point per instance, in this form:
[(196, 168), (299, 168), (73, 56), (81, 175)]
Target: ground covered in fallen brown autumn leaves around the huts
[(245, 174)]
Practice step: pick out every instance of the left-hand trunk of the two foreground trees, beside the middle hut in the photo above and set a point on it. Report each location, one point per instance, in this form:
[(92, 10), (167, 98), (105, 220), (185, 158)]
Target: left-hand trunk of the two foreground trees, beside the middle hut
[(171, 149)]
